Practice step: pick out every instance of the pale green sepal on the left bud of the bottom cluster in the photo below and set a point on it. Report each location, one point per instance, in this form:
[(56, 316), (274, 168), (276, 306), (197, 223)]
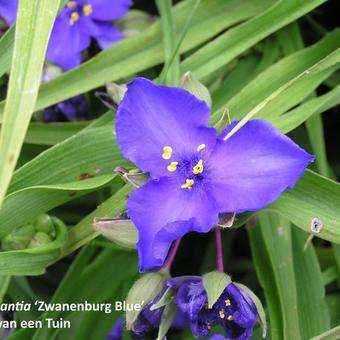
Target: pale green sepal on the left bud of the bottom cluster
[(142, 292)]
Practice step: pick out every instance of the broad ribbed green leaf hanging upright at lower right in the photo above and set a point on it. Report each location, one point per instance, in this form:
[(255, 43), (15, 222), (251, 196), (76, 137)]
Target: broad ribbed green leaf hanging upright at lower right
[(291, 279)]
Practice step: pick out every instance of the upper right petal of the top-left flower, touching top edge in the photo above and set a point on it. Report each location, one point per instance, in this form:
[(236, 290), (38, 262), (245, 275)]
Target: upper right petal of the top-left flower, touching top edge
[(108, 10)]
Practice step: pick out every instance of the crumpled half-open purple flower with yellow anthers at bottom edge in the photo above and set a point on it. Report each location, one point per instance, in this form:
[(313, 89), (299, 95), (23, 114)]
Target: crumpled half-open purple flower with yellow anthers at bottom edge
[(234, 310)]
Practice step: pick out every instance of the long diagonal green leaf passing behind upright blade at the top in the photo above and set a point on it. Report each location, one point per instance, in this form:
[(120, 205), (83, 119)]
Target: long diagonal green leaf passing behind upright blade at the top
[(145, 50)]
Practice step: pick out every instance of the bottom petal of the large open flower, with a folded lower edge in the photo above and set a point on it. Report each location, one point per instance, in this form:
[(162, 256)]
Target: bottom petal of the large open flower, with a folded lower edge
[(162, 213)]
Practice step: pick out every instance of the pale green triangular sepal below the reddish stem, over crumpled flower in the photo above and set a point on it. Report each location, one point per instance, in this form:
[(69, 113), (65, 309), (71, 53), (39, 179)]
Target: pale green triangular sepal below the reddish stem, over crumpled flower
[(214, 284)]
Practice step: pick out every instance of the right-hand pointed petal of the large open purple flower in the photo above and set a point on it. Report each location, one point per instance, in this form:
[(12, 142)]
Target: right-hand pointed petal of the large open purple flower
[(253, 167)]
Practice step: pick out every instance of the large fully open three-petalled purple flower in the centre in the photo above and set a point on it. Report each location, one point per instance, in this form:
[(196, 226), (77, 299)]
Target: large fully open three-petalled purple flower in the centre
[(195, 175)]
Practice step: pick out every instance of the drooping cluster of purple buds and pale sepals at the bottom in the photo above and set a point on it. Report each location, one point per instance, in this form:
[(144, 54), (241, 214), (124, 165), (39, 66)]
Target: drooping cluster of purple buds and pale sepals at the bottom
[(206, 305)]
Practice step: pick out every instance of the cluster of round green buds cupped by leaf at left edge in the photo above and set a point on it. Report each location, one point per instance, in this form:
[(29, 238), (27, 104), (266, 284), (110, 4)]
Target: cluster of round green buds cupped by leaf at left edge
[(39, 232)]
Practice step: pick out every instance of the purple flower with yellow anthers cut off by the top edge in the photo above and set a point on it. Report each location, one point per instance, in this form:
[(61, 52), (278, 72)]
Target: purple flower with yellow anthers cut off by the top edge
[(78, 22)]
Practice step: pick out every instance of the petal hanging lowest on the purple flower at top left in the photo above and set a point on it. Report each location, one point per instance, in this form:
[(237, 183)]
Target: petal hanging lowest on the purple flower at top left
[(66, 43)]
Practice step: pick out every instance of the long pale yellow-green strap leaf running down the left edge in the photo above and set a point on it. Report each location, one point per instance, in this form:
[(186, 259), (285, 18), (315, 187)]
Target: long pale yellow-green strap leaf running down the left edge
[(34, 24)]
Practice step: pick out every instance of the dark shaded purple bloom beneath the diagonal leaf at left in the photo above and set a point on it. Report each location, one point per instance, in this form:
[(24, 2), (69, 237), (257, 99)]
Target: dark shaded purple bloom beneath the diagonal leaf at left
[(70, 109)]
